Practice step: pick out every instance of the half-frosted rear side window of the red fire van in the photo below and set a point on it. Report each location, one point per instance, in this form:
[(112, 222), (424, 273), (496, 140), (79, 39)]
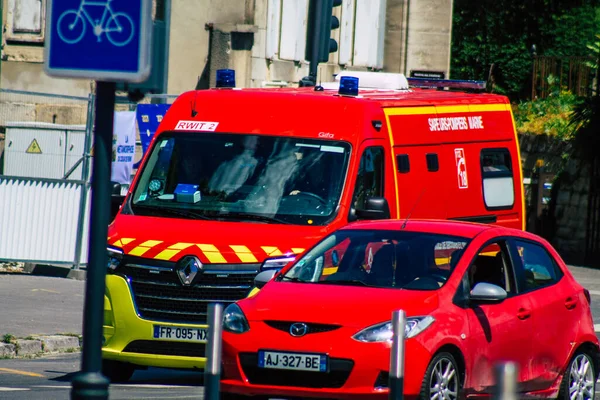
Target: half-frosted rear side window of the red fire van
[(497, 177)]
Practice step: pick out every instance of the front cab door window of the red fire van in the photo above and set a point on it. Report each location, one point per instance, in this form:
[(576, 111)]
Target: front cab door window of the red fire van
[(369, 181)]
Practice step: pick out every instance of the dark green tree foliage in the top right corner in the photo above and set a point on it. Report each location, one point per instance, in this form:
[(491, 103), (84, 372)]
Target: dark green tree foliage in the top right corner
[(501, 33)]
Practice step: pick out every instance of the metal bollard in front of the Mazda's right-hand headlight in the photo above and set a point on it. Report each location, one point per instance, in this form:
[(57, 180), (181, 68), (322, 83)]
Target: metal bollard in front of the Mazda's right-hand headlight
[(396, 380)]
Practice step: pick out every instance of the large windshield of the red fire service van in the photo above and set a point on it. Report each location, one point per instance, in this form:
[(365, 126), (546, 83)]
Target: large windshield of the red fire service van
[(242, 178)]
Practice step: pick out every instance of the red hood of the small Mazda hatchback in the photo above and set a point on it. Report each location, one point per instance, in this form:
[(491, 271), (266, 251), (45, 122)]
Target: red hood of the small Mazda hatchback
[(351, 306)]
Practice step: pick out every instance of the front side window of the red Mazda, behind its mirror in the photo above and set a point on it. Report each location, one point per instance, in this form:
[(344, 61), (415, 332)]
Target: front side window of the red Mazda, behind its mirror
[(492, 265)]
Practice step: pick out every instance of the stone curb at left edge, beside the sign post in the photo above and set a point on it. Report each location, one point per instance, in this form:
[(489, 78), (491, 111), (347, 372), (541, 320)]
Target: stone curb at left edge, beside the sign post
[(40, 345)]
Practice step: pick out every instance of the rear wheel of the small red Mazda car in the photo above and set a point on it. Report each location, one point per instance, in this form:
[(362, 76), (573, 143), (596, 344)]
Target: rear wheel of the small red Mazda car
[(580, 376)]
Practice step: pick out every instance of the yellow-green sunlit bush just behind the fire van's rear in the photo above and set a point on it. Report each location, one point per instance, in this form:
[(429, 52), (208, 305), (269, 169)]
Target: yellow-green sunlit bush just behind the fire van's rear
[(550, 116)]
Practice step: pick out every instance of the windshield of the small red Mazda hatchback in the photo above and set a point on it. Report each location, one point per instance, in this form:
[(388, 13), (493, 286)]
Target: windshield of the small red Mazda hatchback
[(385, 259)]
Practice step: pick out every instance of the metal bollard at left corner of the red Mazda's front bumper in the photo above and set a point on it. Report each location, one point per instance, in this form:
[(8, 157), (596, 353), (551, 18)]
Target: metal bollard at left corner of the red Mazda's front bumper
[(212, 371)]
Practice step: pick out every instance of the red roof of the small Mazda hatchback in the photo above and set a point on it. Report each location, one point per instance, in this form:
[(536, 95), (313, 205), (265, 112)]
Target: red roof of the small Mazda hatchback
[(444, 227)]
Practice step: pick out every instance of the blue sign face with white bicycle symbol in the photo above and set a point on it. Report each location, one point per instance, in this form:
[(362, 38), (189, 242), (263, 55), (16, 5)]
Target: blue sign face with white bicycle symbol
[(74, 45)]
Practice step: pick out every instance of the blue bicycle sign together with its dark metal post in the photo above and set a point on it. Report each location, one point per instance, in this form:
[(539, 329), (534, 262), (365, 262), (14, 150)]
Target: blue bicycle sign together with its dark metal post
[(107, 41)]
